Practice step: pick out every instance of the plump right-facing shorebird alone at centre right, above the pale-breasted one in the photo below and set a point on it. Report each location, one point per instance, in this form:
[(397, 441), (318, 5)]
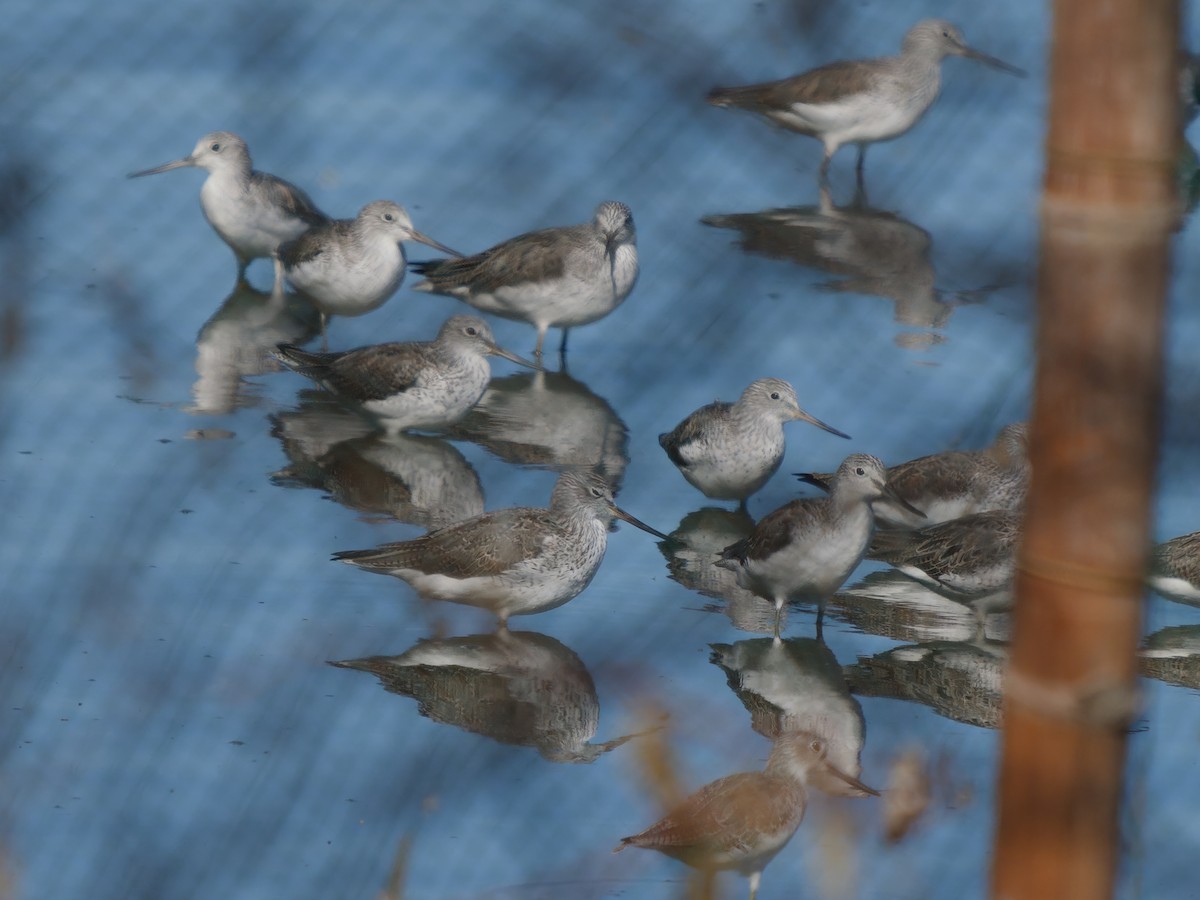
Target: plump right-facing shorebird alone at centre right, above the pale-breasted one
[(730, 451)]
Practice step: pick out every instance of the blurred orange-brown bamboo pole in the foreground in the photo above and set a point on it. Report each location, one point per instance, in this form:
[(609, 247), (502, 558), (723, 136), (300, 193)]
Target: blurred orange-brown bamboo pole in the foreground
[(1109, 207)]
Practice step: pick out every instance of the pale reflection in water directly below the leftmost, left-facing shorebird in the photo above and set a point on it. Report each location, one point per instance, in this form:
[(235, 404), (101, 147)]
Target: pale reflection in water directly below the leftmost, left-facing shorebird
[(236, 344)]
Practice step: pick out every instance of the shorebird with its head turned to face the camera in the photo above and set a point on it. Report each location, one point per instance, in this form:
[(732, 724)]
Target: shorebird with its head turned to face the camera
[(559, 278)]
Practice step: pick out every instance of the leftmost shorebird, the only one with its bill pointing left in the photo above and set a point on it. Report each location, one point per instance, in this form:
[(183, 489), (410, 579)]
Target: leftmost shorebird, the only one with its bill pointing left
[(251, 212)]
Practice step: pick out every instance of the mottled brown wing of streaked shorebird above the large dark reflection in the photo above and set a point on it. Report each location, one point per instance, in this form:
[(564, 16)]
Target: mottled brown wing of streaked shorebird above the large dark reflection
[(487, 545)]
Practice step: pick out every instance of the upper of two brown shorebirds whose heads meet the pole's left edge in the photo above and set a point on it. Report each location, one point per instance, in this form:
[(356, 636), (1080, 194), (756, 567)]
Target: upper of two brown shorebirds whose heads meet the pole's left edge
[(955, 484)]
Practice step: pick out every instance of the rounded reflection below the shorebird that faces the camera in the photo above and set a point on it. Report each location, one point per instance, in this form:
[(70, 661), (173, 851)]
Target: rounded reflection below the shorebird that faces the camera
[(548, 421)]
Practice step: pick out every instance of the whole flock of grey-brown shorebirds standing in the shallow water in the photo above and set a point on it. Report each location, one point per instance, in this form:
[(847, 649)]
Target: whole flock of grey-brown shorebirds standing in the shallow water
[(950, 520)]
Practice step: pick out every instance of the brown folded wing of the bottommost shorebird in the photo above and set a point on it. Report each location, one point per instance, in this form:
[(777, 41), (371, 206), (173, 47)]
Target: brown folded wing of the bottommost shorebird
[(729, 814)]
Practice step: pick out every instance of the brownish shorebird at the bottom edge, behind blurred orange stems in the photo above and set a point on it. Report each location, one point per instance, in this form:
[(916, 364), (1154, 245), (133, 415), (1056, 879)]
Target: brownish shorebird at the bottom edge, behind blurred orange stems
[(742, 821)]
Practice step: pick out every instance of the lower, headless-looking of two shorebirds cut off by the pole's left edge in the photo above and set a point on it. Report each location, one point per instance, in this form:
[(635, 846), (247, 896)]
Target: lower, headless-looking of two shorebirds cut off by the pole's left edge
[(970, 556)]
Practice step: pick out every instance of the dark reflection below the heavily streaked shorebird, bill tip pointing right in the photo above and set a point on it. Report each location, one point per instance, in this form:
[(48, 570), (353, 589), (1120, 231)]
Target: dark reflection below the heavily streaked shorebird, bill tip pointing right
[(518, 688)]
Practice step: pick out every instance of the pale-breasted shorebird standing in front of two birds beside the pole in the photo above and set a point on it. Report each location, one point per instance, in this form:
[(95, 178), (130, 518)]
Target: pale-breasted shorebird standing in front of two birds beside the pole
[(807, 549)]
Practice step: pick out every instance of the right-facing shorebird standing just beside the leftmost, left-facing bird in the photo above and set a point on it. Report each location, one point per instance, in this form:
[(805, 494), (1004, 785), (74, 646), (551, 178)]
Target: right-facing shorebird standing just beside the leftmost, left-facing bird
[(350, 267)]
